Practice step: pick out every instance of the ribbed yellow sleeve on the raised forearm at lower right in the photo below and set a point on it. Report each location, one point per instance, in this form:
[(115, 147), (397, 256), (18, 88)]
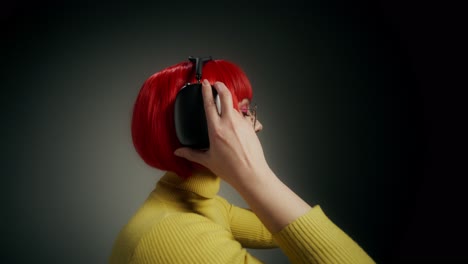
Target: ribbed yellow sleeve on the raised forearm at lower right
[(313, 238)]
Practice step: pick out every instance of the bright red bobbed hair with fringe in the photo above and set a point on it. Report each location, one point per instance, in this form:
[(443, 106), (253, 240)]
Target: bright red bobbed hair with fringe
[(153, 130)]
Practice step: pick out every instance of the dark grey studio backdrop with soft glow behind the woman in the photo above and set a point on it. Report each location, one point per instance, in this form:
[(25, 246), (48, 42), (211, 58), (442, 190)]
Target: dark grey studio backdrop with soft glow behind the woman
[(355, 99)]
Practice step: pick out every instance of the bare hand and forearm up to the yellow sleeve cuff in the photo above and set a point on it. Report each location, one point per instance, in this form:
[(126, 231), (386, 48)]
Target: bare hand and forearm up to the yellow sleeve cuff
[(235, 155)]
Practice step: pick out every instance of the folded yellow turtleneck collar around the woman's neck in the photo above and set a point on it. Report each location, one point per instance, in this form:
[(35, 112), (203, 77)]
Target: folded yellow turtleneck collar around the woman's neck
[(202, 183)]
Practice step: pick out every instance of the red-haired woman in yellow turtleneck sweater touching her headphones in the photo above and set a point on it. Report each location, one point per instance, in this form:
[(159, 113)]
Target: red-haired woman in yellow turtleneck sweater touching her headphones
[(184, 220)]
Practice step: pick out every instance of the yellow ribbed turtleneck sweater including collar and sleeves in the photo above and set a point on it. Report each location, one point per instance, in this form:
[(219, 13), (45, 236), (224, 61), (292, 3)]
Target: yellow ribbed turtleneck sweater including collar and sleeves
[(187, 222)]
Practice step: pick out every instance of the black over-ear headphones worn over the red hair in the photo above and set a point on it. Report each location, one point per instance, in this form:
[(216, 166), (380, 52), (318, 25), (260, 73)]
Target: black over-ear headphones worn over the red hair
[(189, 112)]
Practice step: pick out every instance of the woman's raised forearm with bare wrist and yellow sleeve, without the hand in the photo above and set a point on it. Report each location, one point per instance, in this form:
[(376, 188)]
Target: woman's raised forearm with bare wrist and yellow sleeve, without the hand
[(306, 235)]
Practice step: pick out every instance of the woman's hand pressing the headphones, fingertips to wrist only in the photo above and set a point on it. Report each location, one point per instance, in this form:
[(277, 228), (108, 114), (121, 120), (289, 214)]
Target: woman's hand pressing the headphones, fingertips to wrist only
[(235, 151)]
